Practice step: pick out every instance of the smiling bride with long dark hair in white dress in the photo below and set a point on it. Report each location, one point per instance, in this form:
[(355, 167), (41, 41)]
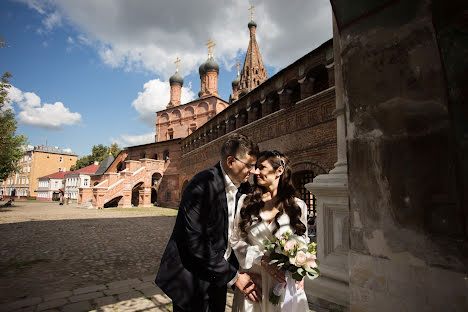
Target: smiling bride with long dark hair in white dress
[(270, 210)]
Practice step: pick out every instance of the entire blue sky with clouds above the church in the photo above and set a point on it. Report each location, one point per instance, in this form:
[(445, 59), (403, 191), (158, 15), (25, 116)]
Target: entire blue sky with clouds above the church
[(95, 72)]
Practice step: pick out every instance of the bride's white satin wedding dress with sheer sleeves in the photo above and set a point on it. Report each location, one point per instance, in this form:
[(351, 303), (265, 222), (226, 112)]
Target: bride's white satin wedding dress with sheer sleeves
[(249, 251)]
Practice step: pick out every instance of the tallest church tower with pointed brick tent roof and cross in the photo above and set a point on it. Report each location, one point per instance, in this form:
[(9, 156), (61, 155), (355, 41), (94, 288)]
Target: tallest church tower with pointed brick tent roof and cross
[(253, 73)]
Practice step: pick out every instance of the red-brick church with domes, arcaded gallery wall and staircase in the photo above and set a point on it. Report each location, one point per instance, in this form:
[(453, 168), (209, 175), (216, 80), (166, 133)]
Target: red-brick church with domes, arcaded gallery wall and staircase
[(291, 112)]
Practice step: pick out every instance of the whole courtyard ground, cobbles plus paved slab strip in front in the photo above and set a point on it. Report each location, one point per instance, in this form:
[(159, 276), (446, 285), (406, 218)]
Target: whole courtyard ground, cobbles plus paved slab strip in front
[(67, 258)]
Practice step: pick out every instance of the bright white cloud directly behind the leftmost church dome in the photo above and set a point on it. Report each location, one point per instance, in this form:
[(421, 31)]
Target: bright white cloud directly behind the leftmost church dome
[(155, 97)]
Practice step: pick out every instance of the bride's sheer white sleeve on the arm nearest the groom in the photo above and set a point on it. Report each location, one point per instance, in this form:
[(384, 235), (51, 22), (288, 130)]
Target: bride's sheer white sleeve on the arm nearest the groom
[(246, 254)]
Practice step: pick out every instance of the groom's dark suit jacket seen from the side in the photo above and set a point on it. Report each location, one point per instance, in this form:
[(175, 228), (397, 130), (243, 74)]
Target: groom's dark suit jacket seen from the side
[(193, 271)]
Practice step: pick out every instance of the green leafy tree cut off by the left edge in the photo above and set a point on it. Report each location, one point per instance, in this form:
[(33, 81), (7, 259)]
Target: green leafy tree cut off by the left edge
[(10, 144)]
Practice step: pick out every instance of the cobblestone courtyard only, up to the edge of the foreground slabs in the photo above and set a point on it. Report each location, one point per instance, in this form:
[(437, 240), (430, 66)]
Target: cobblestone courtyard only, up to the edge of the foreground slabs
[(47, 248)]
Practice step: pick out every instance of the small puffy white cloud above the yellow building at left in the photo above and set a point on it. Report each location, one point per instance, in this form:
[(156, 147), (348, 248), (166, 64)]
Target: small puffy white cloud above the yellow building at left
[(47, 116)]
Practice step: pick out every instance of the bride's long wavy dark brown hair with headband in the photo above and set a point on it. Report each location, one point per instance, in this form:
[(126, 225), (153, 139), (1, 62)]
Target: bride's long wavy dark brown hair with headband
[(285, 201)]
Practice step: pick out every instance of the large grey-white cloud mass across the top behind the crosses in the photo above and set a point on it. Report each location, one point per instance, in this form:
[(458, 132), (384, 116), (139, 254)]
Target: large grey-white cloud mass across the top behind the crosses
[(150, 34)]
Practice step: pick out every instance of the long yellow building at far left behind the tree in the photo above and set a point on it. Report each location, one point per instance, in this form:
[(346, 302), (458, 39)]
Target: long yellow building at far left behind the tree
[(36, 162)]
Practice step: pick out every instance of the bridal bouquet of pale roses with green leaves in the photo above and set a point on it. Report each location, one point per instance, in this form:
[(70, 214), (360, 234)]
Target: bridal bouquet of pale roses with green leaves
[(290, 252)]
